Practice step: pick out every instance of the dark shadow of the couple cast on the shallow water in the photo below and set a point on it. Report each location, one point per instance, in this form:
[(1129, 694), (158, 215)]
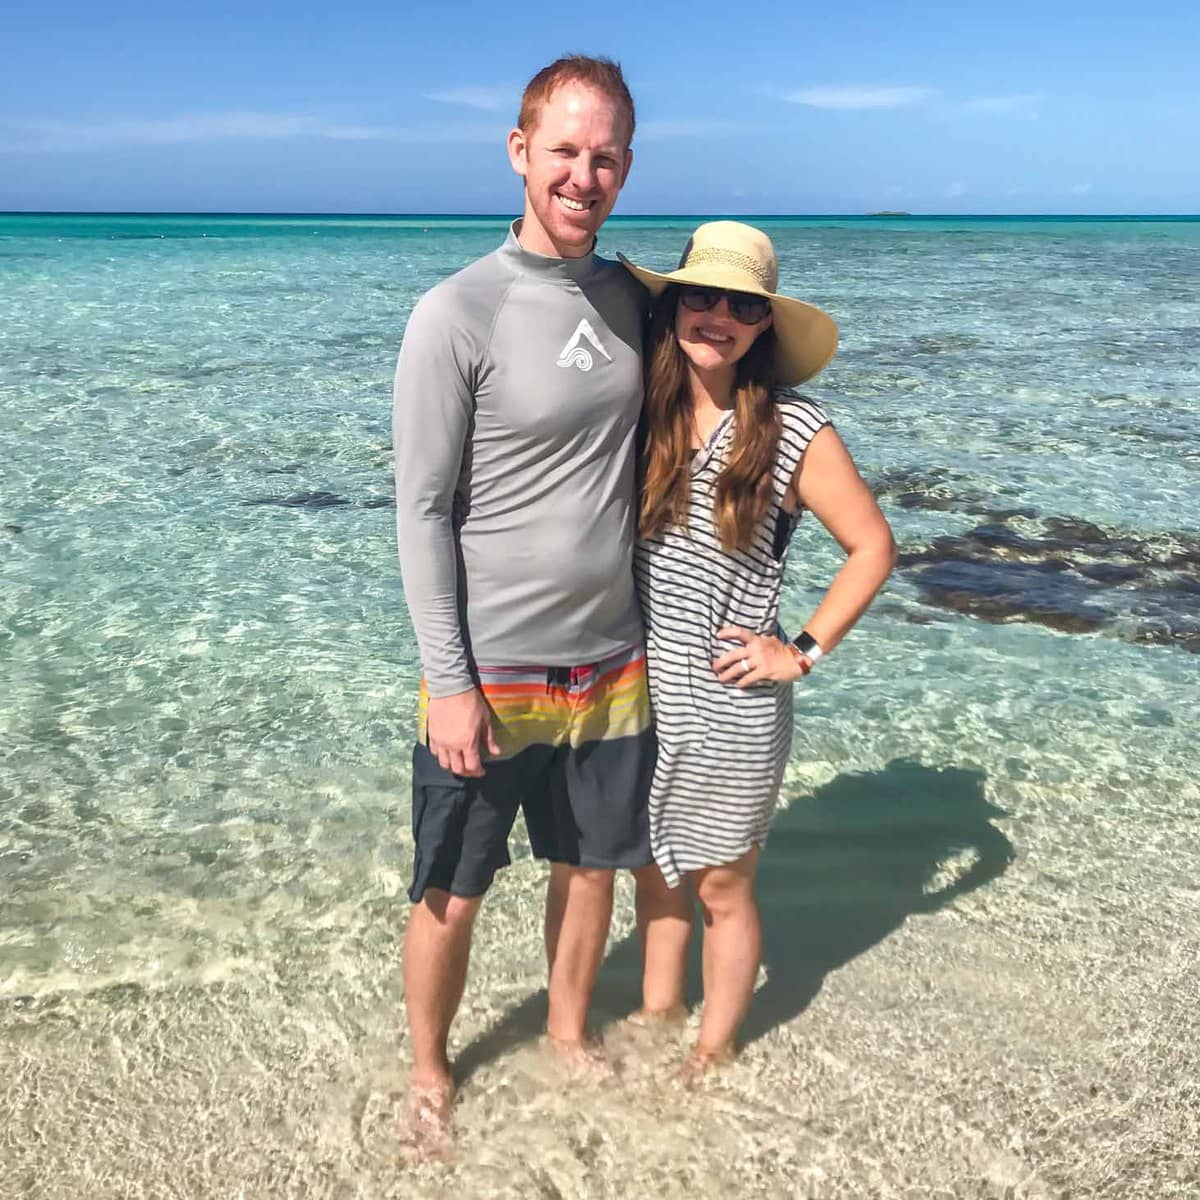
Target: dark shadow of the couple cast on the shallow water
[(845, 867)]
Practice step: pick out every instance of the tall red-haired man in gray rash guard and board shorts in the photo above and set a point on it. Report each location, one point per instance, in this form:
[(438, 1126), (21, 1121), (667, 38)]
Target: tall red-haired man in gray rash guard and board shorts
[(518, 394)]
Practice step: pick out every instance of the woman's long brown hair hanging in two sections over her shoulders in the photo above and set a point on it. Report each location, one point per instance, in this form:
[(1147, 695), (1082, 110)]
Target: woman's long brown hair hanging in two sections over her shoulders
[(745, 487)]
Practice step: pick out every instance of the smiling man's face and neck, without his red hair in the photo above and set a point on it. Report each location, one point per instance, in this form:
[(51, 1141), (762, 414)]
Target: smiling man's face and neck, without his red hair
[(574, 163)]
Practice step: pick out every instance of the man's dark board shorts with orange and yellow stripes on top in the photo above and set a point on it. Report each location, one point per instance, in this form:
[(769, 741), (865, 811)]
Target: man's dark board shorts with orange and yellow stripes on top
[(578, 753)]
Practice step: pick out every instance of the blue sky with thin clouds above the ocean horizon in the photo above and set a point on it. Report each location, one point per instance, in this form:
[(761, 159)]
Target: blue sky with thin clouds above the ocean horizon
[(848, 107)]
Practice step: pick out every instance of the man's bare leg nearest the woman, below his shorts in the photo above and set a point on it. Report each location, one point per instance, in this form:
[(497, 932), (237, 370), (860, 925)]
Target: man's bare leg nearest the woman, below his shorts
[(579, 910)]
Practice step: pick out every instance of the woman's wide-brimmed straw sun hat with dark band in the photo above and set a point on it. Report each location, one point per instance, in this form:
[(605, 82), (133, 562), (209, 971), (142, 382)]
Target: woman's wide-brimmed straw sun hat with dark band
[(741, 259)]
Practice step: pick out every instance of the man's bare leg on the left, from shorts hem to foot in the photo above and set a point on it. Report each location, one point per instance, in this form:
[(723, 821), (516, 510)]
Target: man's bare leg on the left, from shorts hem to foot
[(437, 951)]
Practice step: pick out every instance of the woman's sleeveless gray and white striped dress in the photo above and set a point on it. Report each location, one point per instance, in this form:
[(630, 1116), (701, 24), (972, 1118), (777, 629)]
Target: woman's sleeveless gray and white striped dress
[(722, 749)]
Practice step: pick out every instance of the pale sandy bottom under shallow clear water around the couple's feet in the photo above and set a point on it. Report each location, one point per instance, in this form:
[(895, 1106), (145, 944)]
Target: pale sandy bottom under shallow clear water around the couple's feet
[(956, 1004)]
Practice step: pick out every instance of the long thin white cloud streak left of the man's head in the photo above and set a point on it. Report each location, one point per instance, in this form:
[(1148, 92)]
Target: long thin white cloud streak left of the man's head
[(39, 136)]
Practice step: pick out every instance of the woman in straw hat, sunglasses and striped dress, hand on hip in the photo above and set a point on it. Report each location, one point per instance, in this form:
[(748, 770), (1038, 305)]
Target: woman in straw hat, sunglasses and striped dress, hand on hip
[(731, 461)]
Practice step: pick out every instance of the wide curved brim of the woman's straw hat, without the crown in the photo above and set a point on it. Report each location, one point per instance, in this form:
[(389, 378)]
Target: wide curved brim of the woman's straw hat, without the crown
[(806, 337)]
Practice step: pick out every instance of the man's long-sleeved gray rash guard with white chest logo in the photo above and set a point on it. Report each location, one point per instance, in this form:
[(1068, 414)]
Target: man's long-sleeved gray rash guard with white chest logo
[(517, 401)]
